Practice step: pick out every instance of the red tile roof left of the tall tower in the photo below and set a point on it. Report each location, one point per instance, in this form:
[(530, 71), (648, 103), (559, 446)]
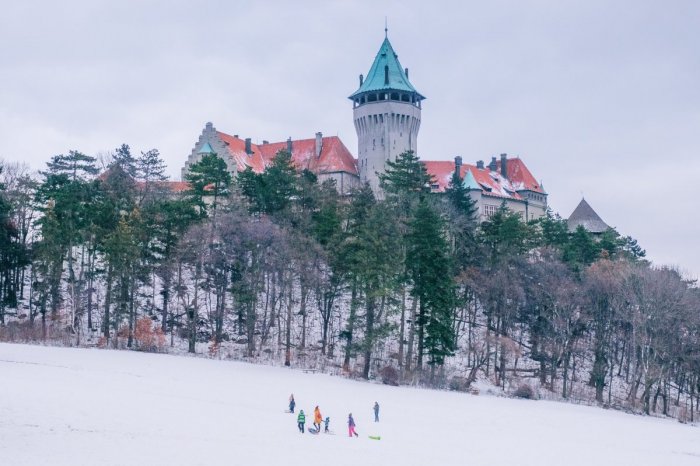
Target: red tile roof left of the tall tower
[(334, 157)]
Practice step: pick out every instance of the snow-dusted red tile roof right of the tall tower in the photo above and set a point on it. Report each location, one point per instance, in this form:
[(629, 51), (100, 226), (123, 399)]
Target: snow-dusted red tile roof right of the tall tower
[(492, 182)]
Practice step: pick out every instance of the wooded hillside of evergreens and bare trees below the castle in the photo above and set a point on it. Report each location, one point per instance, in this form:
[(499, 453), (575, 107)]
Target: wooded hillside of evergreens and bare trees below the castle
[(278, 268)]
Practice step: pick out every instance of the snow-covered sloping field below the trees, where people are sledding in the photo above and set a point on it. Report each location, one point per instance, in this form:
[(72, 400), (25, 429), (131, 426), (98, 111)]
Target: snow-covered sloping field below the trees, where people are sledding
[(62, 406)]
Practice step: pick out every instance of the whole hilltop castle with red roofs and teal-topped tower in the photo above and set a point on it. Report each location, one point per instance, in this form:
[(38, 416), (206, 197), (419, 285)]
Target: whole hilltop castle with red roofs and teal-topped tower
[(387, 116)]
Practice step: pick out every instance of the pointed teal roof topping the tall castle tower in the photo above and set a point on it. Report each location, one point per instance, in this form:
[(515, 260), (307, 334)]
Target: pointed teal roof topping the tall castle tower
[(379, 79)]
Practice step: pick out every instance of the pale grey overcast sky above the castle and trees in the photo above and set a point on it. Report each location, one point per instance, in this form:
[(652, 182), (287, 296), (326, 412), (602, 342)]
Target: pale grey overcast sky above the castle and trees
[(600, 98)]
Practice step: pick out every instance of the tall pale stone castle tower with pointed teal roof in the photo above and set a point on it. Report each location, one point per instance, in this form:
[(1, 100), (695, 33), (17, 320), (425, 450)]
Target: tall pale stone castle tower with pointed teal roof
[(386, 110)]
